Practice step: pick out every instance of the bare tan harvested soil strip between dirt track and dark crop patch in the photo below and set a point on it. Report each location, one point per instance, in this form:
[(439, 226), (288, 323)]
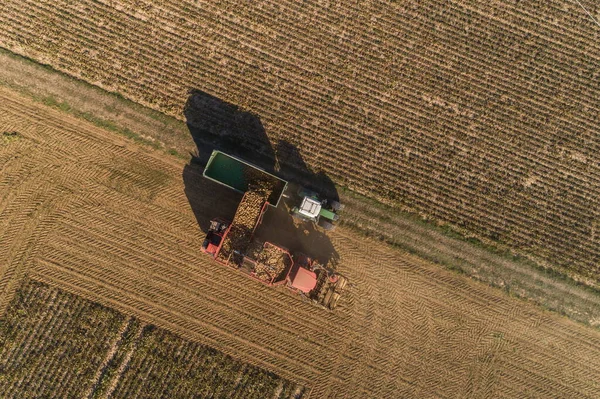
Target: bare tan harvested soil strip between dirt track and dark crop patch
[(95, 215)]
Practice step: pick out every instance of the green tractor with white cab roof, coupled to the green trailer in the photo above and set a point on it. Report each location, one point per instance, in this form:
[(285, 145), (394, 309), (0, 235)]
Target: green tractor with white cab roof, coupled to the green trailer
[(324, 213)]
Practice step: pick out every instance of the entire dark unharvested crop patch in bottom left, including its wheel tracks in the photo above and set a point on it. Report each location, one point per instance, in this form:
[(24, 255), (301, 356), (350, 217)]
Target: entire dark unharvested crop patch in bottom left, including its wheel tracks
[(55, 344)]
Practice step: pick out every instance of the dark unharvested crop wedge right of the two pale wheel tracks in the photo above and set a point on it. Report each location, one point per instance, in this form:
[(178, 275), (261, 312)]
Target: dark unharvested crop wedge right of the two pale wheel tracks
[(187, 369)]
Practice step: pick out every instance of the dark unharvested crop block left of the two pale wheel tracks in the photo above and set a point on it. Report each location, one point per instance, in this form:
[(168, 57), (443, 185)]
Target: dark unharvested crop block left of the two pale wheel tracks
[(43, 331)]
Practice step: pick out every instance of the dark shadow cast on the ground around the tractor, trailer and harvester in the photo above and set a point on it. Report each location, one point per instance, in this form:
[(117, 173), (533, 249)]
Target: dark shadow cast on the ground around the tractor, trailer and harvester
[(217, 125)]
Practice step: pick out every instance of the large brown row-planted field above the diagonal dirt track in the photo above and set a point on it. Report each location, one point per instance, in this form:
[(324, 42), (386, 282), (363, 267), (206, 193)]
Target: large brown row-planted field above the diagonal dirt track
[(481, 114)]
